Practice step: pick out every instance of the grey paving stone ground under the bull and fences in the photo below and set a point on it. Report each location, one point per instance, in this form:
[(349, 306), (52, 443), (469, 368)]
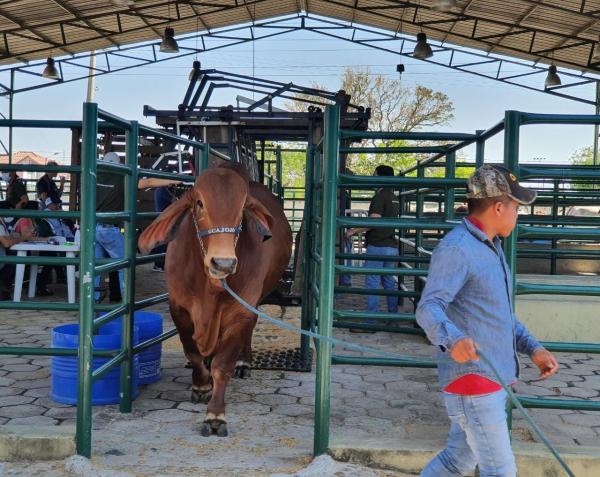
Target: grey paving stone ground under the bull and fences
[(270, 414)]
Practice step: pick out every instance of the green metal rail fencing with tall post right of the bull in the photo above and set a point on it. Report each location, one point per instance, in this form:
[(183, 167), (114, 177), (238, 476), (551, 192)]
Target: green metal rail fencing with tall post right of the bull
[(325, 219)]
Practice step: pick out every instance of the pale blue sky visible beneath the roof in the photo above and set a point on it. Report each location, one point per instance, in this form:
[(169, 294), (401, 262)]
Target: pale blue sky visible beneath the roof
[(304, 57)]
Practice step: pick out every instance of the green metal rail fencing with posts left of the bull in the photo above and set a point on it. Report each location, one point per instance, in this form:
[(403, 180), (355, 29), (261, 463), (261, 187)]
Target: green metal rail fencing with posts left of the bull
[(89, 267)]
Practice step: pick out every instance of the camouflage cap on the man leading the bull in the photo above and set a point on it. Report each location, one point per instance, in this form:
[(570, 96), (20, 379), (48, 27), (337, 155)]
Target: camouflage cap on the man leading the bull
[(496, 181)]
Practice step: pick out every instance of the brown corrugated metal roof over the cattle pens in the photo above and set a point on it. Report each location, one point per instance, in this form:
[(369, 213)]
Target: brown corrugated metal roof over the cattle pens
[(561, 31)]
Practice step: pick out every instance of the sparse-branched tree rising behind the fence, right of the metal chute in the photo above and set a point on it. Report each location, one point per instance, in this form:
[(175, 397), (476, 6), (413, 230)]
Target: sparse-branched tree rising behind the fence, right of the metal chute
[(393, 108)]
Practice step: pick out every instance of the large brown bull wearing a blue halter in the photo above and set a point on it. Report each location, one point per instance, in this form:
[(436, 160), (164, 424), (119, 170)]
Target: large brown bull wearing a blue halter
[(206, 246)]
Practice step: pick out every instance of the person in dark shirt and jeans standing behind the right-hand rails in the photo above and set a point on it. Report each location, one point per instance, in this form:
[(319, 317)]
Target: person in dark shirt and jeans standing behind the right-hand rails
[(381, 241)]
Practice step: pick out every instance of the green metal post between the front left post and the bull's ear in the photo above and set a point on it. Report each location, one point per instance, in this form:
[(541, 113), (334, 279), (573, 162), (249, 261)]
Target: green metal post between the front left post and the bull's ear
[(131, 148)]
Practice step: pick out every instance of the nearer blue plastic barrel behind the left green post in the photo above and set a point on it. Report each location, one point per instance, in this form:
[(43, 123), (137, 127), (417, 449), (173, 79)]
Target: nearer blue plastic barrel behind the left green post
[(64, 368)]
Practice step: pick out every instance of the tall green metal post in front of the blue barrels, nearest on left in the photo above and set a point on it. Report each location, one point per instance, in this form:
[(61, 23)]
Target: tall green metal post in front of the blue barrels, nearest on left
[(89, 156)]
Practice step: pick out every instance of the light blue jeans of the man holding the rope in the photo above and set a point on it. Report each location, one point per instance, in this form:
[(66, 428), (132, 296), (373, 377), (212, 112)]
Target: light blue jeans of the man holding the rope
[(478, 436)]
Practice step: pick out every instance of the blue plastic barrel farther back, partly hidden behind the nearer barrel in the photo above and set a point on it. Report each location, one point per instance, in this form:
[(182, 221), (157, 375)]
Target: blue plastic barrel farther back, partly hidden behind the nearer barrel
[(149, 325)]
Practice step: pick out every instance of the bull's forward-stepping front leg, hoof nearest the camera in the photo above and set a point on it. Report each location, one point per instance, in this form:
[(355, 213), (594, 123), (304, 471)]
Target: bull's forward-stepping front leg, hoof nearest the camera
[(222, 369)]
